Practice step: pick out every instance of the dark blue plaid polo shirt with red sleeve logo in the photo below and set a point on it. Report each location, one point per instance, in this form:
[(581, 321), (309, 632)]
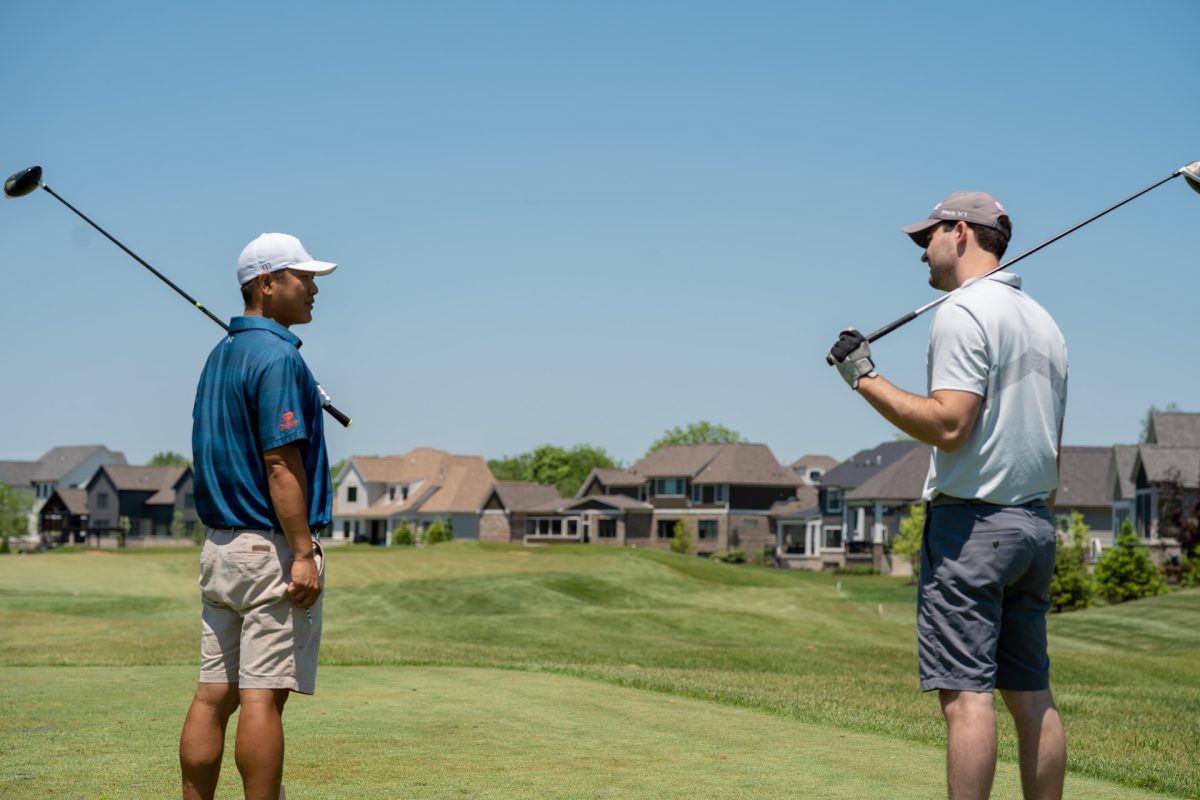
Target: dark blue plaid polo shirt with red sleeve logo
[(256, 394)]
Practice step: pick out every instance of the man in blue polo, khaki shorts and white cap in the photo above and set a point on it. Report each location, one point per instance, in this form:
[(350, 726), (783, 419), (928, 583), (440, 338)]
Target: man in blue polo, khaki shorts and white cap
[(263, 490)]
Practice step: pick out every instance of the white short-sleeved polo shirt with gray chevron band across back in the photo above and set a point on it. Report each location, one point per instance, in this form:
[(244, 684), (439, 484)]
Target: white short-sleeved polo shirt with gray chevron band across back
[(993, 340)]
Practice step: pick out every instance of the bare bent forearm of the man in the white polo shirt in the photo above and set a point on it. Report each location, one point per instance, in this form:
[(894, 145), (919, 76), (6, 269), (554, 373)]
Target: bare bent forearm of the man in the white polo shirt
[(944, 420)]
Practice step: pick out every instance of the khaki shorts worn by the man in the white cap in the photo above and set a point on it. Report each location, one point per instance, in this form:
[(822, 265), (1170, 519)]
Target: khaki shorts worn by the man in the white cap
[(254, 635)]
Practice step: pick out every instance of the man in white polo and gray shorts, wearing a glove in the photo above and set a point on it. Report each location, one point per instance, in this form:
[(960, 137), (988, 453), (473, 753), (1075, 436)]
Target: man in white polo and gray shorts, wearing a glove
[(998, 395)]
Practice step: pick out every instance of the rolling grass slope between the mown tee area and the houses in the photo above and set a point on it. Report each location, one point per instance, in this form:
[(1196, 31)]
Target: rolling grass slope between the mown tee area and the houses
[(817, 649)]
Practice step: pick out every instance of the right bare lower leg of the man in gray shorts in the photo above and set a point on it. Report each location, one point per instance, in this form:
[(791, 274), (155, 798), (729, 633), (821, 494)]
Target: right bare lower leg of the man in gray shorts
[(1042, 743)]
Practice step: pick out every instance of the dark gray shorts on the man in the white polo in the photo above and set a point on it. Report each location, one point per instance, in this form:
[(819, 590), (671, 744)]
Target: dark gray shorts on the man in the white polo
[(986, 575)]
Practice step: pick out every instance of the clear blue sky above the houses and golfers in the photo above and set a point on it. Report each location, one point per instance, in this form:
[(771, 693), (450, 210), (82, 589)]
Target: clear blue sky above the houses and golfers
[(584, 222)]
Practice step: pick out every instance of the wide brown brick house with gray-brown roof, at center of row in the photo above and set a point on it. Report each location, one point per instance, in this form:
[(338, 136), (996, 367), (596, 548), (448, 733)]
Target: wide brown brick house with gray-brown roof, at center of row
[(724, 494)]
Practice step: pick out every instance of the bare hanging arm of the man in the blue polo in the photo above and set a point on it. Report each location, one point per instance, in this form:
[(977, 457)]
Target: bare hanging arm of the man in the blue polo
[(286, 484)]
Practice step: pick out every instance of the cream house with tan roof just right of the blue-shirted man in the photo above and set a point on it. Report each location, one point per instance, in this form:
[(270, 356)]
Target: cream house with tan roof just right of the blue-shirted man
[(375, 495)]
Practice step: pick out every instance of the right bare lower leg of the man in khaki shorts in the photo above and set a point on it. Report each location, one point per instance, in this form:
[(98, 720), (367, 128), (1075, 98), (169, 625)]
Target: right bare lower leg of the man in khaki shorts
[(260, 745)]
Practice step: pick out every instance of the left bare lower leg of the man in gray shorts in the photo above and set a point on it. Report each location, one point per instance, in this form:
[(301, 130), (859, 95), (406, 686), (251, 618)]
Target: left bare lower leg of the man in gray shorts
[(971, 744)]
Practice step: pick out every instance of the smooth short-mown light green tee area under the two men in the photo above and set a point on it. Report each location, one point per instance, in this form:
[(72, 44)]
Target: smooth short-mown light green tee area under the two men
[(406, 732)]
